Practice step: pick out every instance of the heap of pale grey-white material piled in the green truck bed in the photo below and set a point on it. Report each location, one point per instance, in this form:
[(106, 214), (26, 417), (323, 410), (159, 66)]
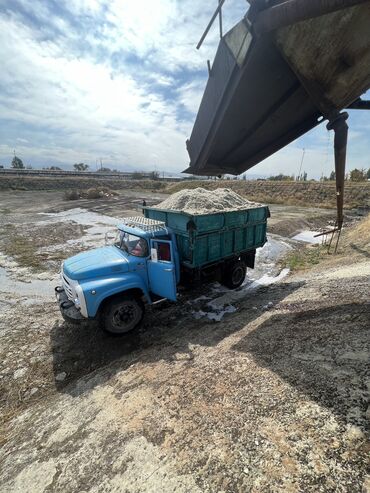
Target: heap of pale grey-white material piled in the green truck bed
[(202, 201)]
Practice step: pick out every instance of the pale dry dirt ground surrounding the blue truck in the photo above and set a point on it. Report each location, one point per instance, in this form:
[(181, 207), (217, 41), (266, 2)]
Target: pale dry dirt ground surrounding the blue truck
[(265, 389)]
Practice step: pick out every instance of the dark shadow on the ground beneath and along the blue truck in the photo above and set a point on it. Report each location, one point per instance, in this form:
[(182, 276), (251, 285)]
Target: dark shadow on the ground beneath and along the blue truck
[(85, 356)]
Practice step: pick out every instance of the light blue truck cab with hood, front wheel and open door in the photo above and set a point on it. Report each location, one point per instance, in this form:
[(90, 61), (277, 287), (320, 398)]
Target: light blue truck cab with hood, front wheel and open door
[(112, 283)]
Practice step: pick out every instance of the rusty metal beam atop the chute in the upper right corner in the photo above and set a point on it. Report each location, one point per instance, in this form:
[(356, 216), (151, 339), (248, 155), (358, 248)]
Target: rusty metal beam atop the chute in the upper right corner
[(293, 11)]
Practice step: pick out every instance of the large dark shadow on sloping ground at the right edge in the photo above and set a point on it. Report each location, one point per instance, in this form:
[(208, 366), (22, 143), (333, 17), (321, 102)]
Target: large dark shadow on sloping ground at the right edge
[(321, 352)]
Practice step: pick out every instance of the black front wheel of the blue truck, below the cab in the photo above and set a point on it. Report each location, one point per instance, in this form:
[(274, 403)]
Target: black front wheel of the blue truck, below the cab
[(122, 314)]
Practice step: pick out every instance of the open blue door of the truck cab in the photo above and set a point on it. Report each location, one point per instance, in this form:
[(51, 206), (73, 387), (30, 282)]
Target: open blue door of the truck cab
[(161, 269)]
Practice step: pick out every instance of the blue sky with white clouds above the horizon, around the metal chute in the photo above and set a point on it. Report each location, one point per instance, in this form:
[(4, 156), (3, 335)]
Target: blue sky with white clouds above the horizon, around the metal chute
[(121, 81)]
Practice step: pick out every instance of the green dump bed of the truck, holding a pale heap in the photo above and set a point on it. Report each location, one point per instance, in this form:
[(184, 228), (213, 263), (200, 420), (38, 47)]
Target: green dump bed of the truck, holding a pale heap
[(207, 238)]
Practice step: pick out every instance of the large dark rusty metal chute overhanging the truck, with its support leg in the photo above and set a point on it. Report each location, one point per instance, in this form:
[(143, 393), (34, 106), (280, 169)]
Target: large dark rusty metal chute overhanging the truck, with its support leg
[(283, 69)]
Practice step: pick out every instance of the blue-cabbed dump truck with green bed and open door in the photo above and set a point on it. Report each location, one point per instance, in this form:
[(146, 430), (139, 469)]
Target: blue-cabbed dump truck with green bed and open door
[(151, 255)]
